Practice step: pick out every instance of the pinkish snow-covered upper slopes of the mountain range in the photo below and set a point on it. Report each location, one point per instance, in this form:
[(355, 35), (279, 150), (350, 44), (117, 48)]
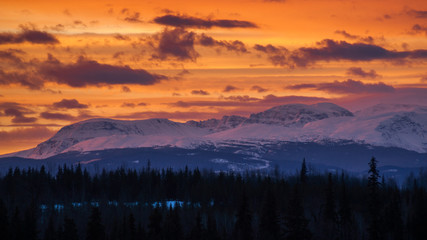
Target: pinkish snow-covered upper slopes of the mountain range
[(403, 126)]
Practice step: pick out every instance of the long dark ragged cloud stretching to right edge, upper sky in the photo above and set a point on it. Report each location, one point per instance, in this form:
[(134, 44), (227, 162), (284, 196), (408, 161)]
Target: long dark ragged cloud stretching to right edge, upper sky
[(330, 50)]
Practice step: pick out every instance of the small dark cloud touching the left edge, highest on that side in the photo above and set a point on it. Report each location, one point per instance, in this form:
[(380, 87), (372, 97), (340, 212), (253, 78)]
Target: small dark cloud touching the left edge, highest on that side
[(28, 35)]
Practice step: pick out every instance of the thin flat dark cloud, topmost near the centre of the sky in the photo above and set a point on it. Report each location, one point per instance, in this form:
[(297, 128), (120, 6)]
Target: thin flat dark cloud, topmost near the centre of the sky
[(193, 22)]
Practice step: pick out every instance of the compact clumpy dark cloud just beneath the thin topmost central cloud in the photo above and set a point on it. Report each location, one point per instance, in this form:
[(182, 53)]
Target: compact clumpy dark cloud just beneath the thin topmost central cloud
[(176, 43)]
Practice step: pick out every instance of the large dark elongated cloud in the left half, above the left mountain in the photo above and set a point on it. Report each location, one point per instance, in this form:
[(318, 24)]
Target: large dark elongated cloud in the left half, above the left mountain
[(91, 73)]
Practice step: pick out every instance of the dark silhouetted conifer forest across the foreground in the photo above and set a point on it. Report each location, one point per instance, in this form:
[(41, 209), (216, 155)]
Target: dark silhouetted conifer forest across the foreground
[(192, 204)]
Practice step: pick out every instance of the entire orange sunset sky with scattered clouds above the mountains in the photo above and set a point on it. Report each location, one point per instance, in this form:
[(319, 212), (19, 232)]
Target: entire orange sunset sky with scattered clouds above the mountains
[(66, 61)]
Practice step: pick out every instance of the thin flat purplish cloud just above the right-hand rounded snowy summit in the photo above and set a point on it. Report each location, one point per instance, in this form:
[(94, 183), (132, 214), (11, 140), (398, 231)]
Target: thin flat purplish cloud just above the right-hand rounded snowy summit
[(348, 86)]
